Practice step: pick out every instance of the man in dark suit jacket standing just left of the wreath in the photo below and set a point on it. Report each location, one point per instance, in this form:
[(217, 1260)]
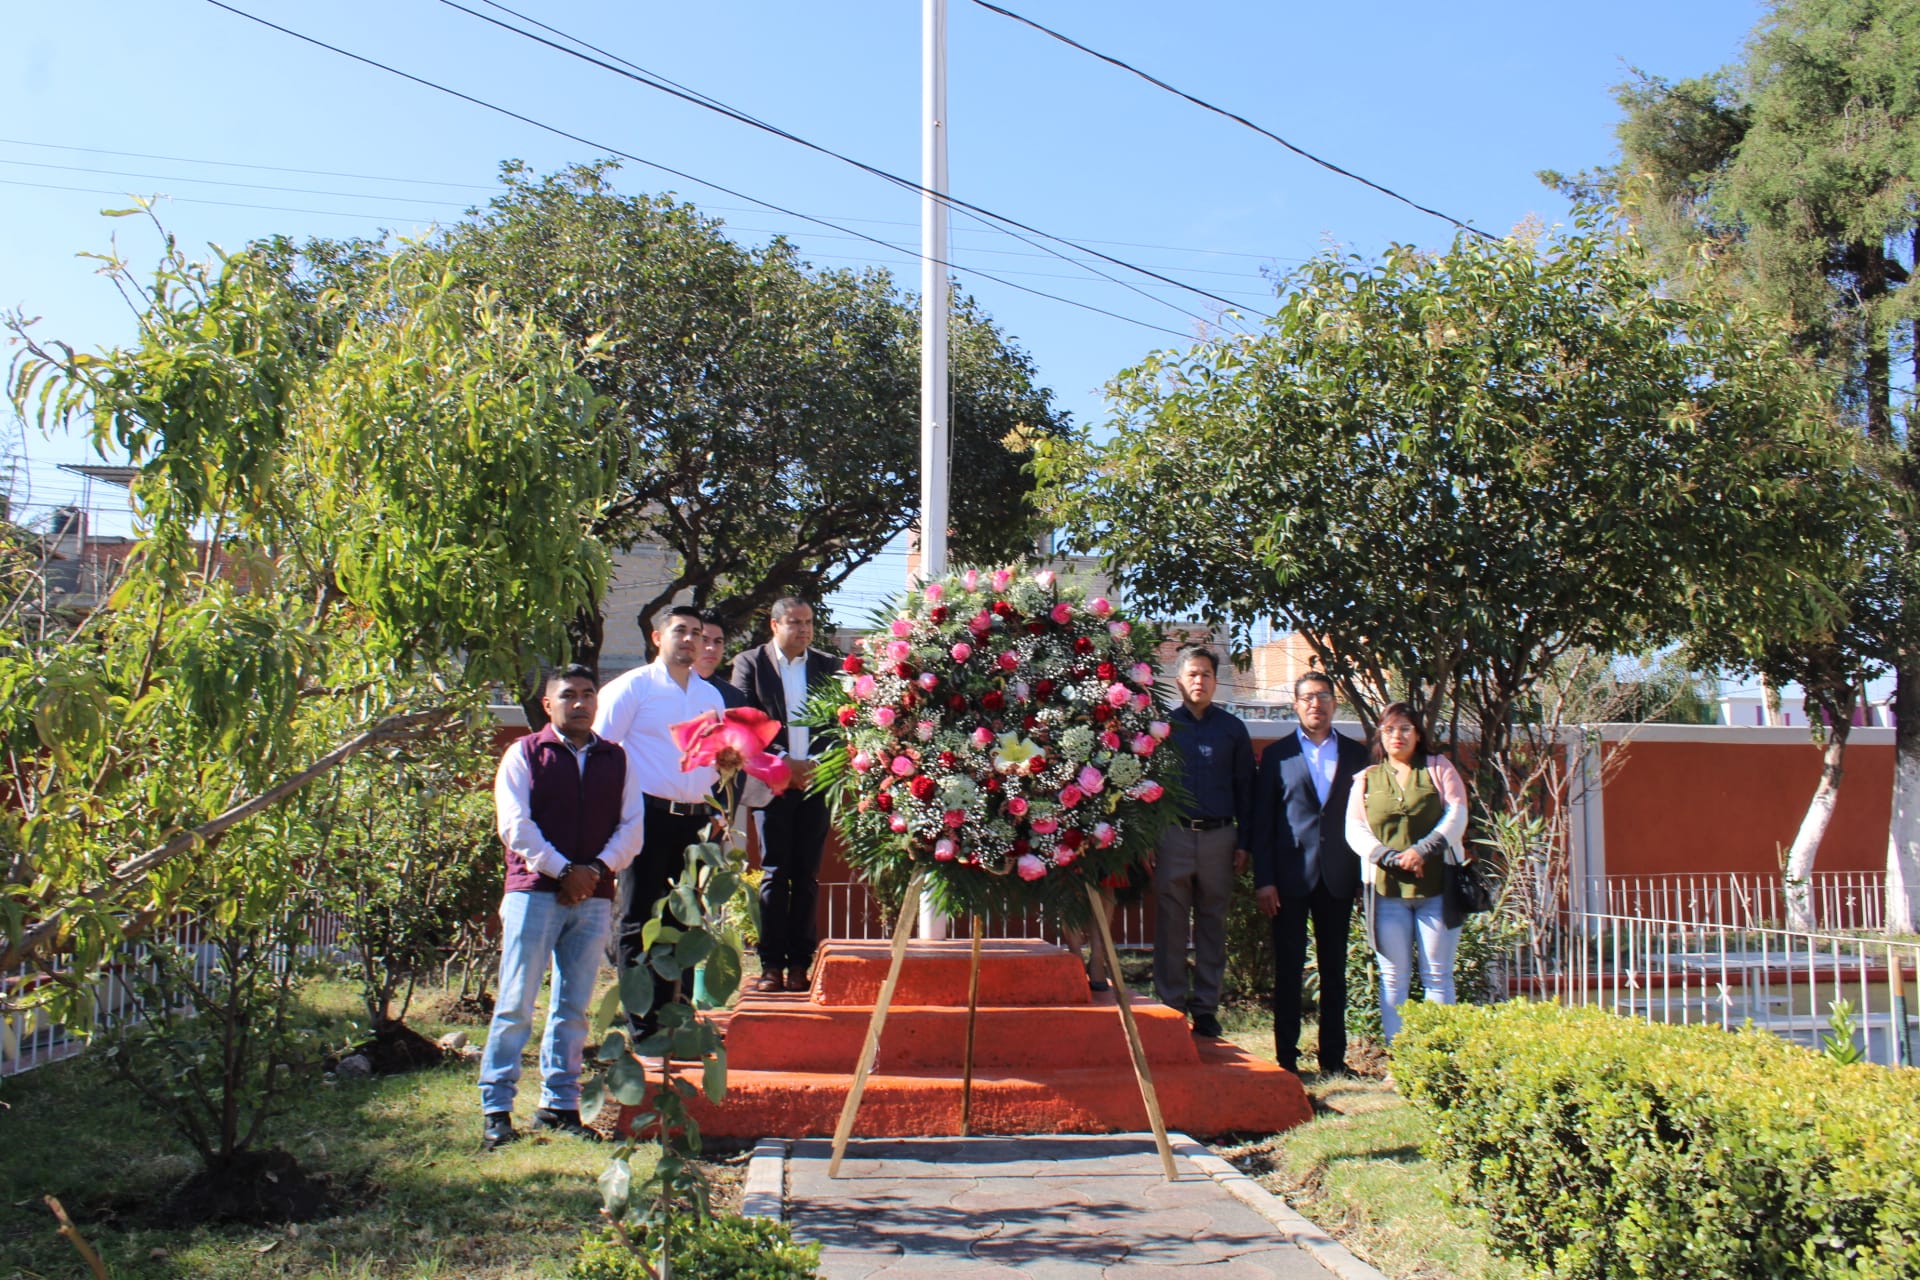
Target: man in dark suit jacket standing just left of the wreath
[(779, 678)]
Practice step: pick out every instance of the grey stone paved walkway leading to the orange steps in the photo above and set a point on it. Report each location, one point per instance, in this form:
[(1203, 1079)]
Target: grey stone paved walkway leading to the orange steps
[(1047, 1208)]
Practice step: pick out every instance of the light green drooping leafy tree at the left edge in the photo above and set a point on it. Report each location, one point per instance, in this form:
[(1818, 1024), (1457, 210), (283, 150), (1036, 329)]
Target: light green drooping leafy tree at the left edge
[(348, 523)]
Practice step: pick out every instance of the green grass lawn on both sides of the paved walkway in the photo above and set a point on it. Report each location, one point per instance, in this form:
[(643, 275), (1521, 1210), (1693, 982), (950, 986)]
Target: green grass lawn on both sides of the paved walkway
[(423, 1200)]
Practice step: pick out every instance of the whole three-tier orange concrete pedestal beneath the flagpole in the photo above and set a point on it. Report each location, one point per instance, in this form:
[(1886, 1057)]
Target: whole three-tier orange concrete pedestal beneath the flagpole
[(1049, 1056)]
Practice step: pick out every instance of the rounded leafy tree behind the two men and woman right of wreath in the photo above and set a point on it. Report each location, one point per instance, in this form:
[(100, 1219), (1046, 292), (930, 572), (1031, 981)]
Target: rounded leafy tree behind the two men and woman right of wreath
[(1451, 471)]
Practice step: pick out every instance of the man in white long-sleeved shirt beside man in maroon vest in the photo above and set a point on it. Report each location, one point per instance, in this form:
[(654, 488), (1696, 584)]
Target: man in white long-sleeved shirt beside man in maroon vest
[(638, 711)]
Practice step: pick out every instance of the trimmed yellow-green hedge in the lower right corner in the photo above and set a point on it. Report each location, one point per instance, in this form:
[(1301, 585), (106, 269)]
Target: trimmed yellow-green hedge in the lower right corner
[(1606, 1149)]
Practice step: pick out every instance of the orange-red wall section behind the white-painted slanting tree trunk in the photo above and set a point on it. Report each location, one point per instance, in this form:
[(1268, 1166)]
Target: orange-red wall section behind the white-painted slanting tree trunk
[(1733, 807)]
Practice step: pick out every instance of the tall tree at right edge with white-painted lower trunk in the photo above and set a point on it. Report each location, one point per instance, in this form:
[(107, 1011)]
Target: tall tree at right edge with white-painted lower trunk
[(1796, 172)]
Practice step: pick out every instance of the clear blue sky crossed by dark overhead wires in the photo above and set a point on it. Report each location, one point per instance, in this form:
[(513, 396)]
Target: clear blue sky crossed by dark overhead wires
[(1456, 107)]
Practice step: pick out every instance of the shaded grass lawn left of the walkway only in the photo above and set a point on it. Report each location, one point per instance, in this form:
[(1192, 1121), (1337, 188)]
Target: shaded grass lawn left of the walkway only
[(402, 1152)]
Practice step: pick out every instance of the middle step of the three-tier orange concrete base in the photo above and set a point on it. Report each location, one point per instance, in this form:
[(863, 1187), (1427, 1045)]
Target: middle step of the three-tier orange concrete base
[(773, 1033)]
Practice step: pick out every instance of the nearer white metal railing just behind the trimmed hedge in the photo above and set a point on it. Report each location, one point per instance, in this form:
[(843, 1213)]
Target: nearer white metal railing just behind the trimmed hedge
[(1727, 974)]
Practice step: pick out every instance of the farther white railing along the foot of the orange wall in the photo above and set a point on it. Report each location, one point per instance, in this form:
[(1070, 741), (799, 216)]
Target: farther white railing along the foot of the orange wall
[(1836, 901)]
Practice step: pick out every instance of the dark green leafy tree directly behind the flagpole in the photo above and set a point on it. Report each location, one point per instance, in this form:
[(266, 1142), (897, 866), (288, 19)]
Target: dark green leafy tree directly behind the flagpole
[(767, 412)]
